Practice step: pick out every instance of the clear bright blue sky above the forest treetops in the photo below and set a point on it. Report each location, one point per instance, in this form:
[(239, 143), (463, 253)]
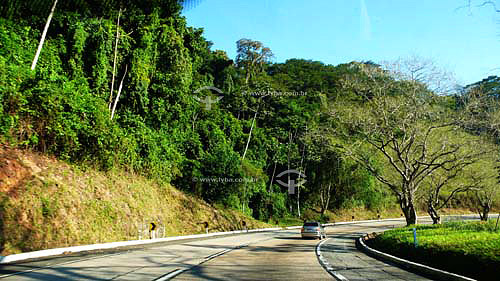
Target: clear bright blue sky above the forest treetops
[(464, 41)]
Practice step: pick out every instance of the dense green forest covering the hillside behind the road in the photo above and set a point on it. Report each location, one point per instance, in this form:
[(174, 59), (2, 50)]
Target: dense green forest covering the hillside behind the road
[(129, 85)]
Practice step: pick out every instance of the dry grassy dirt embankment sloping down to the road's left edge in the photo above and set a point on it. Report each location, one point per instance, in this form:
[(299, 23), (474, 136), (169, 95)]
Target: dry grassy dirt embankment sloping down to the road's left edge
[(46, 203)]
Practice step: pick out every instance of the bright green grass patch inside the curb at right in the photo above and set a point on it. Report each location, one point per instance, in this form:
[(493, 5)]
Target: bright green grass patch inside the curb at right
[(471, 249)]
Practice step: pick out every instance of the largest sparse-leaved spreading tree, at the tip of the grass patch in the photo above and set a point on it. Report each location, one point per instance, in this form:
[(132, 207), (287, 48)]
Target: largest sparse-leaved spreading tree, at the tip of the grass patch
[(401, 125)]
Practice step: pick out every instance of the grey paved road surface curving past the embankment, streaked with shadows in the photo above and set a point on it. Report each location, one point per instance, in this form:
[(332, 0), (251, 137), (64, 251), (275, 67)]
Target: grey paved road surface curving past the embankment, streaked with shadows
[(280, 255)]
